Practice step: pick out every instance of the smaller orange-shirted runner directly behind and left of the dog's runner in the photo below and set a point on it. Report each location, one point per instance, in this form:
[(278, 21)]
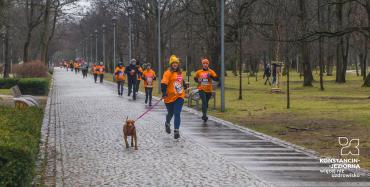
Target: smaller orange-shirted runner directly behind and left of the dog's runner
[(148, 77)]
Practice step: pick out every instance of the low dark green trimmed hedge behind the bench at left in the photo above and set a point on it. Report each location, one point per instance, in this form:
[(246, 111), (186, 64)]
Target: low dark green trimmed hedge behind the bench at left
[(28, 86)]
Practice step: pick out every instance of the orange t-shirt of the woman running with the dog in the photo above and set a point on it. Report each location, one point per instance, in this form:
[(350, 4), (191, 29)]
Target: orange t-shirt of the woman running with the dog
[(175, 87)]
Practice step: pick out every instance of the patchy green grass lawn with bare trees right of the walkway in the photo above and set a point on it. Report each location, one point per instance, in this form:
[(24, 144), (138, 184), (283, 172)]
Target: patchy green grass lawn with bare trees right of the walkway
[(316, 118)]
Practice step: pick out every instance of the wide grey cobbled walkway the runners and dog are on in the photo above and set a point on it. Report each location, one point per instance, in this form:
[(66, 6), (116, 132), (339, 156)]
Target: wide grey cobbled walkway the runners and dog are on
[(82, 136)]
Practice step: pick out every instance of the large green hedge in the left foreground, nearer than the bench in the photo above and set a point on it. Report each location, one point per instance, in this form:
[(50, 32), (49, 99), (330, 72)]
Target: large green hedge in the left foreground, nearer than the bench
[(20, 132)]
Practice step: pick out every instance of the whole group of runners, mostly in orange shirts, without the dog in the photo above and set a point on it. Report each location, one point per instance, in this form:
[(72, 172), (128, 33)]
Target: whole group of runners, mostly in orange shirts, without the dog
[(173, 86)]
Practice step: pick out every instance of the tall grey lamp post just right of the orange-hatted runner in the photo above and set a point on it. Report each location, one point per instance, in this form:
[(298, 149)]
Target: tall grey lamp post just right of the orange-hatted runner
[(223, 56)]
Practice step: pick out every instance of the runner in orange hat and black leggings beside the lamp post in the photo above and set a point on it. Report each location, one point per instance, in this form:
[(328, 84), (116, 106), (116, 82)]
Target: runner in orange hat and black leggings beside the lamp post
[(204, 79)]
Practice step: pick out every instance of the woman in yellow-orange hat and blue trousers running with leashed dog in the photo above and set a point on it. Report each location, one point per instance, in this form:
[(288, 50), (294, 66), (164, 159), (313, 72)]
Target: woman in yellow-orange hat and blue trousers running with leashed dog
[(173, 93)]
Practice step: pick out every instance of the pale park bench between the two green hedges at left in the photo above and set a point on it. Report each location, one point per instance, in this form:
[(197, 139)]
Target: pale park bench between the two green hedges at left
[(23, 101)]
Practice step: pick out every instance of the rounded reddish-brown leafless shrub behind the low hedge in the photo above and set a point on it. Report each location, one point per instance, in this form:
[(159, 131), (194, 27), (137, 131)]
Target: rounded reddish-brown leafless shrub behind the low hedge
[(31, 69)]
